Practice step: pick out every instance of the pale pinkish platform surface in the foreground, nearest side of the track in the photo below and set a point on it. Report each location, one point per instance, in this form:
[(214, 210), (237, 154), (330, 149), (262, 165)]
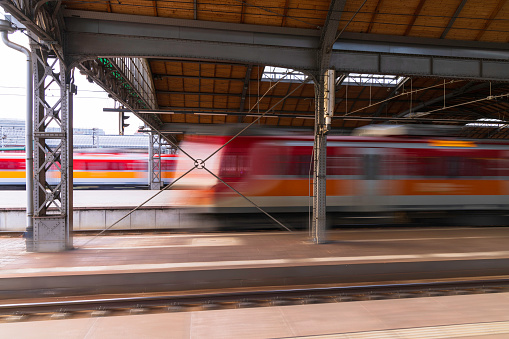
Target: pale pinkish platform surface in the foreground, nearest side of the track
[(468, 316)]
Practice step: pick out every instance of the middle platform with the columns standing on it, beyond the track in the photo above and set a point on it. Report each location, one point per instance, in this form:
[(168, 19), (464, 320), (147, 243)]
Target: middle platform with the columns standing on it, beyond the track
[(174, 262)]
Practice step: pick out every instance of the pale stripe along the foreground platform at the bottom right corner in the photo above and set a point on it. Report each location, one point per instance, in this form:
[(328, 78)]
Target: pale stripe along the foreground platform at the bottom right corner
[(431, 332)]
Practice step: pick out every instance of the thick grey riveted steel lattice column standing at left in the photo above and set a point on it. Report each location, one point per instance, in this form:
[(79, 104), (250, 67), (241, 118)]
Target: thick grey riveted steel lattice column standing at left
[(52, 155)]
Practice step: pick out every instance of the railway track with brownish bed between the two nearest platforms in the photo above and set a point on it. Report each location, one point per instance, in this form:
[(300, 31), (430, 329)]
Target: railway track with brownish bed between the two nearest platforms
[(98, 307)]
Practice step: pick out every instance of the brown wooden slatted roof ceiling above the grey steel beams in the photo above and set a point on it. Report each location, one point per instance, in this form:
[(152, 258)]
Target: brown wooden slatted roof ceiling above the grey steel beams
[(213, 87)]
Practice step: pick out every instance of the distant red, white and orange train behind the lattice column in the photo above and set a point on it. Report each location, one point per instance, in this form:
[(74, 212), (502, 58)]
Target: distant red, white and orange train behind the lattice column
[(95, 169)]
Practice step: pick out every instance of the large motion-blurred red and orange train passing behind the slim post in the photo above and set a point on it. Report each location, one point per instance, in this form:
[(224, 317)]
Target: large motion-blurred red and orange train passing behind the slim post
[(396, 178)]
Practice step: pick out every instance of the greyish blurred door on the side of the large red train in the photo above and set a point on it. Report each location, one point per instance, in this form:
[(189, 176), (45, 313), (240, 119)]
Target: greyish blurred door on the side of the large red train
[(371, 189)]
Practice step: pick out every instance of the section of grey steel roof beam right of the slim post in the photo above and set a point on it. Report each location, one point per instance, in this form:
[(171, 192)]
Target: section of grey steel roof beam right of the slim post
[(369, 53)]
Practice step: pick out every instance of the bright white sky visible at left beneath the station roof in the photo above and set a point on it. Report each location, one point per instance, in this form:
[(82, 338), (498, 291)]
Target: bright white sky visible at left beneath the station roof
[(88, 103)]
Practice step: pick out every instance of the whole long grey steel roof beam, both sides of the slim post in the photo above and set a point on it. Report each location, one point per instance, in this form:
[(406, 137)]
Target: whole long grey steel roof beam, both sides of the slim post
[(91, 34)]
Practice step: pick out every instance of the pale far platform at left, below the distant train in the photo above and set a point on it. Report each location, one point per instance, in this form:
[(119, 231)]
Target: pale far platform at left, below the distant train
[(99, 209)]
